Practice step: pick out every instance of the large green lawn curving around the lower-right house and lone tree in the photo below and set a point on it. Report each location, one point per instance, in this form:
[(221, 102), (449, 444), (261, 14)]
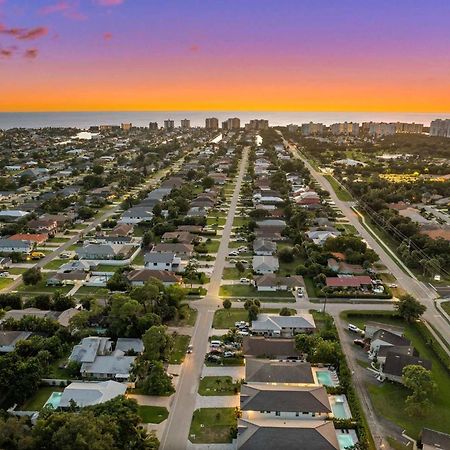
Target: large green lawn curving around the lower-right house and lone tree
[(389, 398)]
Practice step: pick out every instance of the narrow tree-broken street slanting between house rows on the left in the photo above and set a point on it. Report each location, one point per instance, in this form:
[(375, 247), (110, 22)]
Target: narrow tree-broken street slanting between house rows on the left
[(113, 210)]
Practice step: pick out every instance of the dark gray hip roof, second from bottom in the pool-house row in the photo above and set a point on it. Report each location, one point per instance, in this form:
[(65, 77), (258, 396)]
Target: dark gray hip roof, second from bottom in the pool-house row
[(284, 398)]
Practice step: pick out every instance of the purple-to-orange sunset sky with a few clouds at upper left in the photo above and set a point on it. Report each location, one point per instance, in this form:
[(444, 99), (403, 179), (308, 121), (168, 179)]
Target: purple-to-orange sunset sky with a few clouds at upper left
[(252, 55)]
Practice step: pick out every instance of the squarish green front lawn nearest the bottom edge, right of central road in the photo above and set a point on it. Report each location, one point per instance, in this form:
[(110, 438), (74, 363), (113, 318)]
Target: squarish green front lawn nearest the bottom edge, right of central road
[(212, 425)]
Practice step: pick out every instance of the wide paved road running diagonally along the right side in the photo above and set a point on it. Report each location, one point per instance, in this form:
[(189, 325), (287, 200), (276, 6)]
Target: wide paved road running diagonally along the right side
[(419, 290)]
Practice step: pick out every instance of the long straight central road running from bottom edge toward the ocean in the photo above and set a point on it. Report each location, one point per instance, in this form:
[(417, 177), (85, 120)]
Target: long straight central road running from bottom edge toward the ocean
[(176, 433)]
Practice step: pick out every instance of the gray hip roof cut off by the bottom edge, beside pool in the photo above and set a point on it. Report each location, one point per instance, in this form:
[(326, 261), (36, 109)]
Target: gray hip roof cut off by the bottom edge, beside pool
[(290, 435)]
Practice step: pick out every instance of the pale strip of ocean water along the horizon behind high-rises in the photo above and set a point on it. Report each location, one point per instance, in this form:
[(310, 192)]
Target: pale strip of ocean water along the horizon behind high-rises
[(142, 118)]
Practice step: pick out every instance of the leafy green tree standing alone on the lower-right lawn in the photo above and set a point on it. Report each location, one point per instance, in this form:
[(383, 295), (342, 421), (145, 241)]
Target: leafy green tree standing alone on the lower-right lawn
[(420, 382)]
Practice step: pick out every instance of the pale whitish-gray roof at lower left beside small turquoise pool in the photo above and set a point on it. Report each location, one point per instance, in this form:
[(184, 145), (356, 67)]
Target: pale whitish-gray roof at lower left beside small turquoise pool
[(86, 394)]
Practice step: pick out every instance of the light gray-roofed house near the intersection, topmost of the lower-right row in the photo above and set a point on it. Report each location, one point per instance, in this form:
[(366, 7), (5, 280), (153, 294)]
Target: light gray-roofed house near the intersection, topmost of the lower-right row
[(274, 325)]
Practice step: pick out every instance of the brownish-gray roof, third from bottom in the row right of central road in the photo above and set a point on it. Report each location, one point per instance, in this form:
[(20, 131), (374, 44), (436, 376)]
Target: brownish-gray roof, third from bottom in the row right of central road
[(275, 371)]
